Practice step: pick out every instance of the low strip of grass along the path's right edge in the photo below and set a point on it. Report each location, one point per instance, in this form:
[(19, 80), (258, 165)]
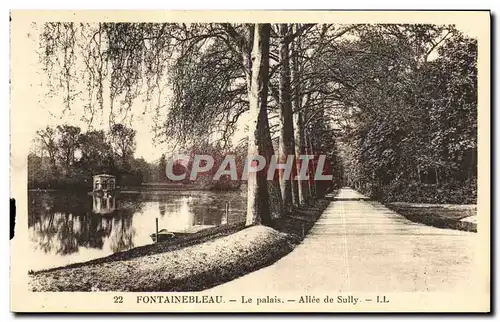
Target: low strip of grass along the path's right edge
[(440, 216)]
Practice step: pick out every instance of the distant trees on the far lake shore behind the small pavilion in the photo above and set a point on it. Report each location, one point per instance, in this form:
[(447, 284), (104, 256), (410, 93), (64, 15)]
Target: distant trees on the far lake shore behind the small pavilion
[(67, 157)]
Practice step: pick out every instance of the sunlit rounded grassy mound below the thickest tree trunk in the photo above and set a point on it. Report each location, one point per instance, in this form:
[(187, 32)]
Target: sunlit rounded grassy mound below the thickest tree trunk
[(188, 269)]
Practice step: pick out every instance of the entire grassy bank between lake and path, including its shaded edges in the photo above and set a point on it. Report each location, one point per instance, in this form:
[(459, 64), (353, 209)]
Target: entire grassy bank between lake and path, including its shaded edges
[(205, 259)]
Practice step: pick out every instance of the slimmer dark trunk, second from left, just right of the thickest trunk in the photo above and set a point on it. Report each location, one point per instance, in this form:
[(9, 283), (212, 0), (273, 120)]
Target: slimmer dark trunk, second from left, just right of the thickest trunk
[(286, 140)]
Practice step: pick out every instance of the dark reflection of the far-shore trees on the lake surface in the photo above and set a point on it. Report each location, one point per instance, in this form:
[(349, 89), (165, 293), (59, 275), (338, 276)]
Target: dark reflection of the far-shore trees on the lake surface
[(61, 223)]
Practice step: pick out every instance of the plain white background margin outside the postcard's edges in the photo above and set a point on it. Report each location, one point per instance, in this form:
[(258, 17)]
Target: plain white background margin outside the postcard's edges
[(189, 5)]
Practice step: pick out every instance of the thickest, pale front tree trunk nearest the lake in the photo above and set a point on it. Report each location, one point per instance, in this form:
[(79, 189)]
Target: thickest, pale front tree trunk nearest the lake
[(258, 209)]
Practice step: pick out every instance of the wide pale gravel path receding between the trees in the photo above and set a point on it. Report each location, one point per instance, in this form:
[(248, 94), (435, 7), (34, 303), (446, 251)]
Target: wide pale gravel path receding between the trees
[(360, 245)]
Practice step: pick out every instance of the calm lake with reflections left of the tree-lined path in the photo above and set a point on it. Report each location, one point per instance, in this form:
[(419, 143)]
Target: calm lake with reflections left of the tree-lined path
[(67, 228)]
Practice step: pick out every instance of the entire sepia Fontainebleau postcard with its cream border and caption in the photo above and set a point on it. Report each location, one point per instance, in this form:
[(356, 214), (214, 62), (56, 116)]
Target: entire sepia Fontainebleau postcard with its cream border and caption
[(250, 161)]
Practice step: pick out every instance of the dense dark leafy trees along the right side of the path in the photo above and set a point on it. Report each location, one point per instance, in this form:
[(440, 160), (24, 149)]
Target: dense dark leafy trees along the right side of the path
[(412, 134)]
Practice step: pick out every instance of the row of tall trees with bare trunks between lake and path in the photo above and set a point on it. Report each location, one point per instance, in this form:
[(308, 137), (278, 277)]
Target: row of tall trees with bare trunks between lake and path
[(267, 72)]
